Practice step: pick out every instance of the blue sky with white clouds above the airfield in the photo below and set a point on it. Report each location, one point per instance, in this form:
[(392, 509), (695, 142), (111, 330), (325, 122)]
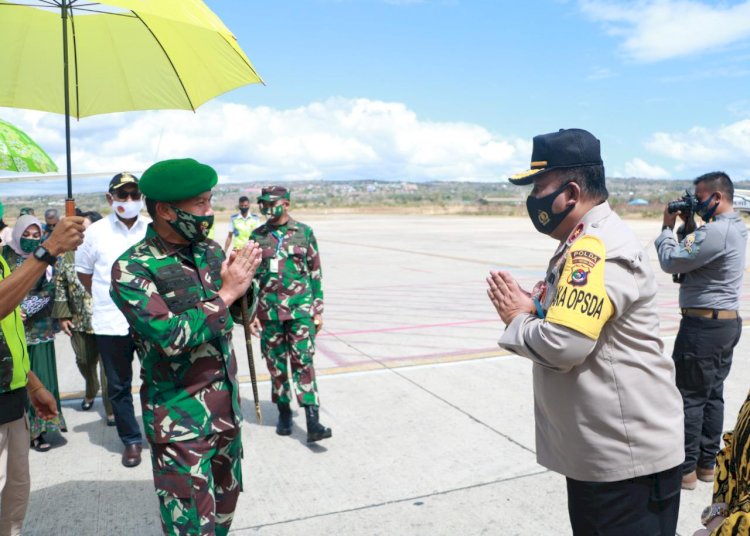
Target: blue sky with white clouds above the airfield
[(452, 90)]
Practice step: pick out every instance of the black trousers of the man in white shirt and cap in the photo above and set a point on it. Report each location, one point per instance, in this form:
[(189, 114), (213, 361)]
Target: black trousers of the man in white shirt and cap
[(116, 352)]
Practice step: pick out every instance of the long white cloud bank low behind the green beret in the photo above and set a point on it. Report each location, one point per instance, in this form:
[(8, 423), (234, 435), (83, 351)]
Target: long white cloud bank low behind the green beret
[(334, 139)]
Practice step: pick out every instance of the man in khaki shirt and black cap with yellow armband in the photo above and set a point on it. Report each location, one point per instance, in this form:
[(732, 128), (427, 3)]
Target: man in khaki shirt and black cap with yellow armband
[(608, 414)]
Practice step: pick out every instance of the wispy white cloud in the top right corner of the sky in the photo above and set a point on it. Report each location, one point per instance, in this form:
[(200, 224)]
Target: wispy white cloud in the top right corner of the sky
[(655, 30)]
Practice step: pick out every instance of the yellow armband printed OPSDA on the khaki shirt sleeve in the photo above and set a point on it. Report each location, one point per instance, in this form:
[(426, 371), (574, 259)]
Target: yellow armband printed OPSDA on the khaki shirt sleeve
[(581, 302)]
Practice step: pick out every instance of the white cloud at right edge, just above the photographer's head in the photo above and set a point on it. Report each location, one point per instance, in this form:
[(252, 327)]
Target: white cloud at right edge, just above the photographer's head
[(702, 149)]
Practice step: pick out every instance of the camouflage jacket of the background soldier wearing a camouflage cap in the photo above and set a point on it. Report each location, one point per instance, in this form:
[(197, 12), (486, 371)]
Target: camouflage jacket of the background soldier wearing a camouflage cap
[(288, 280)]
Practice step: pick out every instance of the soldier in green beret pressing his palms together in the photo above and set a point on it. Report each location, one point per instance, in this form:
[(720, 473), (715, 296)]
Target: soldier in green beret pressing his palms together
[(175, 287)]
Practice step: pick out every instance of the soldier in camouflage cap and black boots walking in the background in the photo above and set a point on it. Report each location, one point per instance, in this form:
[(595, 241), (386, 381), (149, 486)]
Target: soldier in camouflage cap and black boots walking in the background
[(289, 309)]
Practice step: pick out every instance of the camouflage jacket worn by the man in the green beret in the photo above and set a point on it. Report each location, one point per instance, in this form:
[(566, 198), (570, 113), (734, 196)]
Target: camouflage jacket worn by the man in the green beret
[(183, 332)]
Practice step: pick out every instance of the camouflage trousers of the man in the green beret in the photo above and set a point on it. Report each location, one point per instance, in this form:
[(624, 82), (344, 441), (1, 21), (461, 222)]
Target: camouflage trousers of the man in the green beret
[(198, 483)]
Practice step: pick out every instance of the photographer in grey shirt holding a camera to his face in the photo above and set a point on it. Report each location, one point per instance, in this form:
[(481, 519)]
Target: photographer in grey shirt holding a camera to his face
[(710, 261)]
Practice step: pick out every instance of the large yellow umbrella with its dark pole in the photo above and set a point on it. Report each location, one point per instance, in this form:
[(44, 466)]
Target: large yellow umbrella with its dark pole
[(114, 56)]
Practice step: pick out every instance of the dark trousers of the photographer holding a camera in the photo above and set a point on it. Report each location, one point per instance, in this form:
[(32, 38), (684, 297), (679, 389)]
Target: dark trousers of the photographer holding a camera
[(703, 356)]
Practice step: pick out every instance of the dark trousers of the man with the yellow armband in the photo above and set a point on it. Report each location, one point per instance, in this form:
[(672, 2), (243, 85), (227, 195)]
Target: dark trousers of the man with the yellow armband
[(643, 506)]
